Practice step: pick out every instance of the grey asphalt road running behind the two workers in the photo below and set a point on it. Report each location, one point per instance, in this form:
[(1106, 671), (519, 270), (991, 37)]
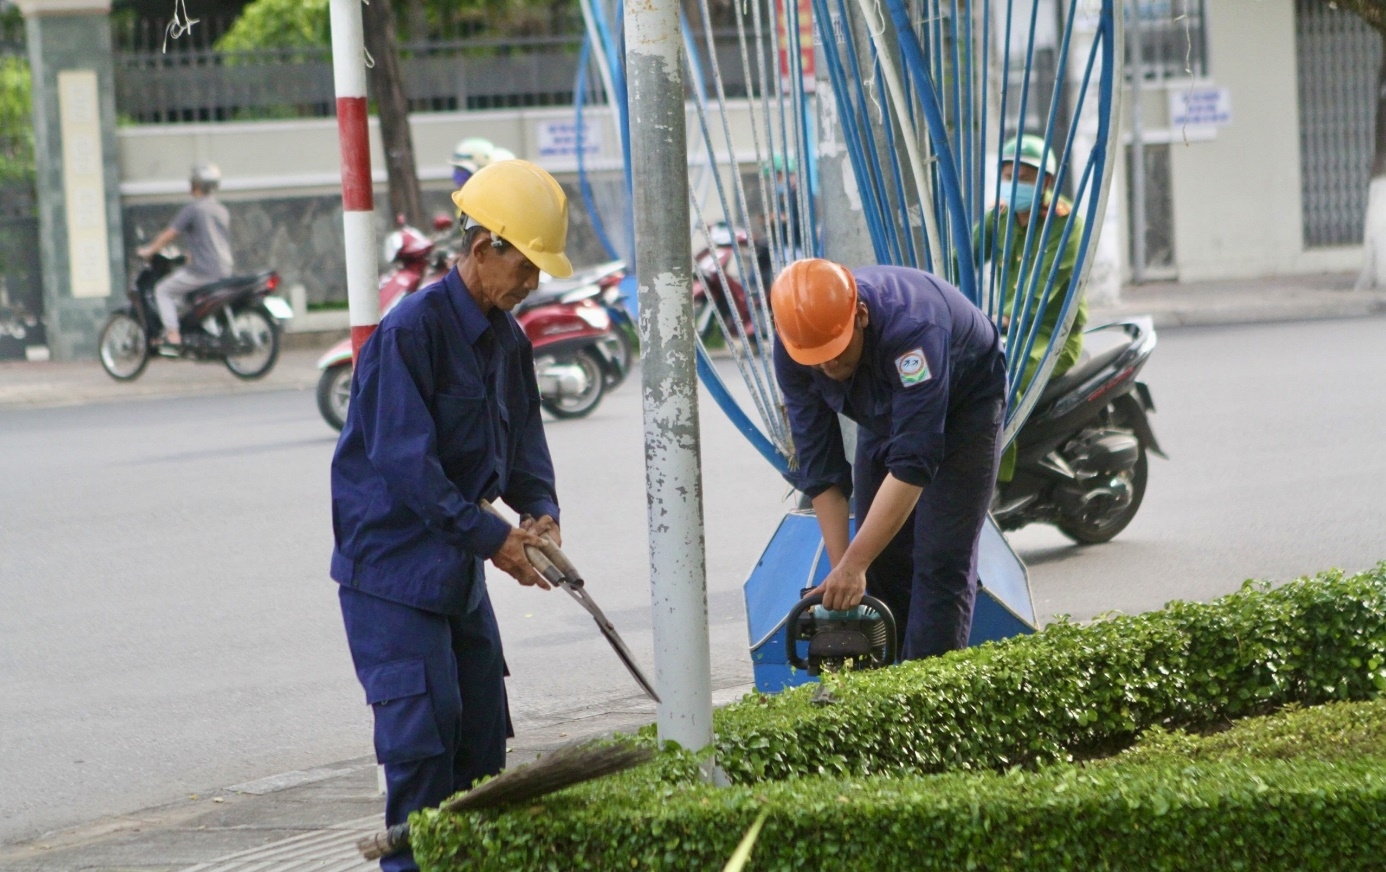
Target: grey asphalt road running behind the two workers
[(168, 626)]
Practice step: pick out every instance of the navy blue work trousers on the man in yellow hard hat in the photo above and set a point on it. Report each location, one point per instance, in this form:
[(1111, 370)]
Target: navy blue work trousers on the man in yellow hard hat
[(436, 686)]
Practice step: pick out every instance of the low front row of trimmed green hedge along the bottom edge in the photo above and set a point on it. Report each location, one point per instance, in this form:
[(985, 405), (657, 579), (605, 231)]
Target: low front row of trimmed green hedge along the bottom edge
[(1320, 803)]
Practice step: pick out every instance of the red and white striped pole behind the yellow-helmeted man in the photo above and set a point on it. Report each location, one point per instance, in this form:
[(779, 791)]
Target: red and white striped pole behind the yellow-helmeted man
[(358, 202)]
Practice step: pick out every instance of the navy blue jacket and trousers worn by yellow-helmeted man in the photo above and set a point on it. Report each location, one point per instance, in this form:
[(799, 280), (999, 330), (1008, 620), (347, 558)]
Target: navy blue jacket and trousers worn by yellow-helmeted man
[(444, 412)]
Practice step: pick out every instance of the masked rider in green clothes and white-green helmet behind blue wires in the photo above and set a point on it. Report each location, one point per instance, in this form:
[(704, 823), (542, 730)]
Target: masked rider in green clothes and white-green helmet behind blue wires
[(1028, 181)]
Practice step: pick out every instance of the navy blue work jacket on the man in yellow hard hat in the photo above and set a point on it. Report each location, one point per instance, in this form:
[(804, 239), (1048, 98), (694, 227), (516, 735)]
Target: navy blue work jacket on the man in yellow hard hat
[(444, 412)]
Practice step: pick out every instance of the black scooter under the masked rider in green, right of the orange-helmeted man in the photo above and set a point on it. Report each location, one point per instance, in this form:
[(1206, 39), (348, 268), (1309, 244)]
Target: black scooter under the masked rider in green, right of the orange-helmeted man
[(1082, 455)]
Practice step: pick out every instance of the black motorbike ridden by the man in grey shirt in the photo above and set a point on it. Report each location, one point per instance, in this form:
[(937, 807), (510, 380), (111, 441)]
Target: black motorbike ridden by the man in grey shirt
[(234, 321)]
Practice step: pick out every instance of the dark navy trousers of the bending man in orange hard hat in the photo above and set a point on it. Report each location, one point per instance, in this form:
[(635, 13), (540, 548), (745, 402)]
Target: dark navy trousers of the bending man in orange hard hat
[(928, 575)]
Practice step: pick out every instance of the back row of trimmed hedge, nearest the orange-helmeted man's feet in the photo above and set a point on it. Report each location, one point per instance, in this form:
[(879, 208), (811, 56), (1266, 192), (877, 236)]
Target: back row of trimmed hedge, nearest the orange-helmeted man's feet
[(1076, 691)]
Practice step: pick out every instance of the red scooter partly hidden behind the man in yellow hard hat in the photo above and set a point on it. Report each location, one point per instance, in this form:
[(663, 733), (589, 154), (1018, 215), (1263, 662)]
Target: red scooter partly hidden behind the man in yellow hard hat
[(579, 351)]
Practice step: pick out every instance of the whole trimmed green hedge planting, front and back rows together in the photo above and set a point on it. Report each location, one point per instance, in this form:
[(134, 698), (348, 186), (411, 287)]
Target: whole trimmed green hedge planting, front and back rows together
[(1022, 755)]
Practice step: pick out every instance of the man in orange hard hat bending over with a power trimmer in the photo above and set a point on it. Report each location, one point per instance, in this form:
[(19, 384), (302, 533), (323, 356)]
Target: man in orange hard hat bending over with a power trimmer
[(921, 371)]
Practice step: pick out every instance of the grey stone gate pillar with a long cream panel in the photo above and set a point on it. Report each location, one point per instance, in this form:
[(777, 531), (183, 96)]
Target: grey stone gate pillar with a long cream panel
[(77, 178)]
